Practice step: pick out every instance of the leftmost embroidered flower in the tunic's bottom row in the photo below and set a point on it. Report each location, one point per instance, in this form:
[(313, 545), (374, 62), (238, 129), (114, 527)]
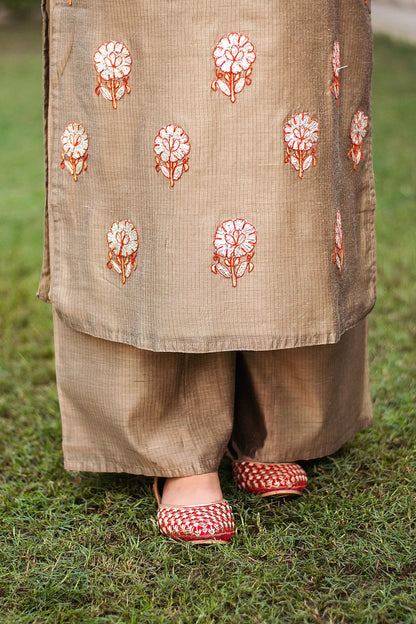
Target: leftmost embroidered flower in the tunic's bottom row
[(123, 243)]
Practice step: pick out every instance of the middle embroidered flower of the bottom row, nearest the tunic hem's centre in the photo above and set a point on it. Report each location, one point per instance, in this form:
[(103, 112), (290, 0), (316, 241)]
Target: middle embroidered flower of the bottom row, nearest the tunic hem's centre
[(234, 244)]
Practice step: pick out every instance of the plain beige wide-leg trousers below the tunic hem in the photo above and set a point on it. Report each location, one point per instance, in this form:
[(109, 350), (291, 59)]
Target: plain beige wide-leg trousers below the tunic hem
[(174, 414)]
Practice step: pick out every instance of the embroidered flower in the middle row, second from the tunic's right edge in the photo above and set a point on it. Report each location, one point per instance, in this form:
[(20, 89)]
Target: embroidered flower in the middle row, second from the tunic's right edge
[(301, 134)]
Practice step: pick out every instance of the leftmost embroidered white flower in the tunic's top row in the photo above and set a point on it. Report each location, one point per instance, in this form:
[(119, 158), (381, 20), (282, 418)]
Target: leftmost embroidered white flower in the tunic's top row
[(112, 62)]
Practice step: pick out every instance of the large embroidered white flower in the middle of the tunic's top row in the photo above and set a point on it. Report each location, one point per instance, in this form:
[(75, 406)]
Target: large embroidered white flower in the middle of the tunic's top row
[(234, 56)]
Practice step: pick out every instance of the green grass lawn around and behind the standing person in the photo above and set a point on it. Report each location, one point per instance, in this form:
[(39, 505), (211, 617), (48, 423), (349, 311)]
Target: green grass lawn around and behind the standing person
[(85, 548)]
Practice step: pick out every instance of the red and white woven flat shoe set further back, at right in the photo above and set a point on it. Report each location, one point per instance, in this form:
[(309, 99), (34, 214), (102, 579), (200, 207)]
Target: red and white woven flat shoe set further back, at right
[(269, 479)]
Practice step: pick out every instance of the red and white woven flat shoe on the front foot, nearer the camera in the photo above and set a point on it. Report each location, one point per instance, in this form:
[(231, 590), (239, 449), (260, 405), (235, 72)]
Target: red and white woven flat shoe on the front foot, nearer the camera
[(197, 524)]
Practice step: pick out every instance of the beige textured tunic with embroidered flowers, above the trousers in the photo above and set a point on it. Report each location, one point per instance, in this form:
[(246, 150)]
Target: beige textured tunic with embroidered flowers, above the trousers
[(291, 293)]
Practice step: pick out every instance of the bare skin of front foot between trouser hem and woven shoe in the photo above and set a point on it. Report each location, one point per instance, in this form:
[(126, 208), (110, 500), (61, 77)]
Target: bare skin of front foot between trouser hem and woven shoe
[(200, 489)]
